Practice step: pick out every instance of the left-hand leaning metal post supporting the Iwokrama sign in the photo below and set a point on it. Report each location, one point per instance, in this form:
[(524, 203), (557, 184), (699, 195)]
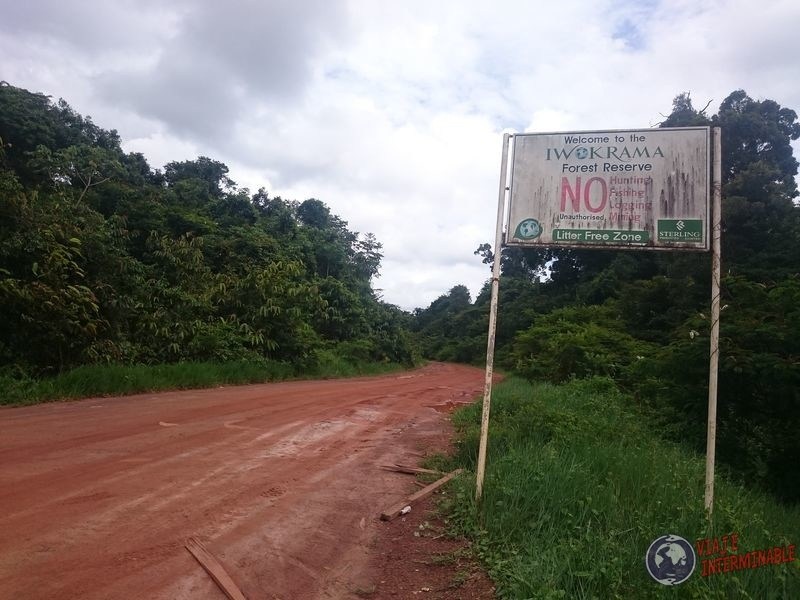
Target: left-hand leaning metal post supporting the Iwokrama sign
[(487, 387)]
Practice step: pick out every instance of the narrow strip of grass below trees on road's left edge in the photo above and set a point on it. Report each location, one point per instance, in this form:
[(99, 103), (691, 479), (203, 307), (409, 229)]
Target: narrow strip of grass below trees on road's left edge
[(117, 380)]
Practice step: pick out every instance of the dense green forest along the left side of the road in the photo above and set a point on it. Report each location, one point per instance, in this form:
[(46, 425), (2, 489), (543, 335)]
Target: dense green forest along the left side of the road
[(106, 260)]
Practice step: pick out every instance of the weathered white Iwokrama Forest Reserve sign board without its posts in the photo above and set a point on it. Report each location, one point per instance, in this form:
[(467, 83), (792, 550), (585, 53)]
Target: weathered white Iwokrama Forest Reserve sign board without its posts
[(633, 189)]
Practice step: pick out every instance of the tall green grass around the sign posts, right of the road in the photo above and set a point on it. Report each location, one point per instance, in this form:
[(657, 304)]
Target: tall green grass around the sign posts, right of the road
[(579, 484)]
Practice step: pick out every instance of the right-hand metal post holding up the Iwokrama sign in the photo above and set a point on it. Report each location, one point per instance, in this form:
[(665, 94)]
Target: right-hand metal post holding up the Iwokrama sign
[(716, 237)]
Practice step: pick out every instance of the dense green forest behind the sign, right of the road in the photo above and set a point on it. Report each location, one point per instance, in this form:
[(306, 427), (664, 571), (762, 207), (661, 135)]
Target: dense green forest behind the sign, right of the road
[(641, 317)]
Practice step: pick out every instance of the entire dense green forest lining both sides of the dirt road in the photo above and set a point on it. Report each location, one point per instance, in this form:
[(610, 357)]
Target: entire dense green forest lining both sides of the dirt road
[(105, 260)]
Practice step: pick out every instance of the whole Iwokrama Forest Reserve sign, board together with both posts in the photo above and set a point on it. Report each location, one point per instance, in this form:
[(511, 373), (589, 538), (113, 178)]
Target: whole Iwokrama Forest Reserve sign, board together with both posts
[(628, 189)]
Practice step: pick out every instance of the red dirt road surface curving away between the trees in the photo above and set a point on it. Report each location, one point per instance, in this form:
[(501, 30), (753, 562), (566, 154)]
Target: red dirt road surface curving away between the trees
[(280, 482)]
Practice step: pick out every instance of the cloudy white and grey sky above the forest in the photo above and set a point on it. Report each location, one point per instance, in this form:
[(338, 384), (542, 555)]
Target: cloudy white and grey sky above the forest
[(392, 113)]
